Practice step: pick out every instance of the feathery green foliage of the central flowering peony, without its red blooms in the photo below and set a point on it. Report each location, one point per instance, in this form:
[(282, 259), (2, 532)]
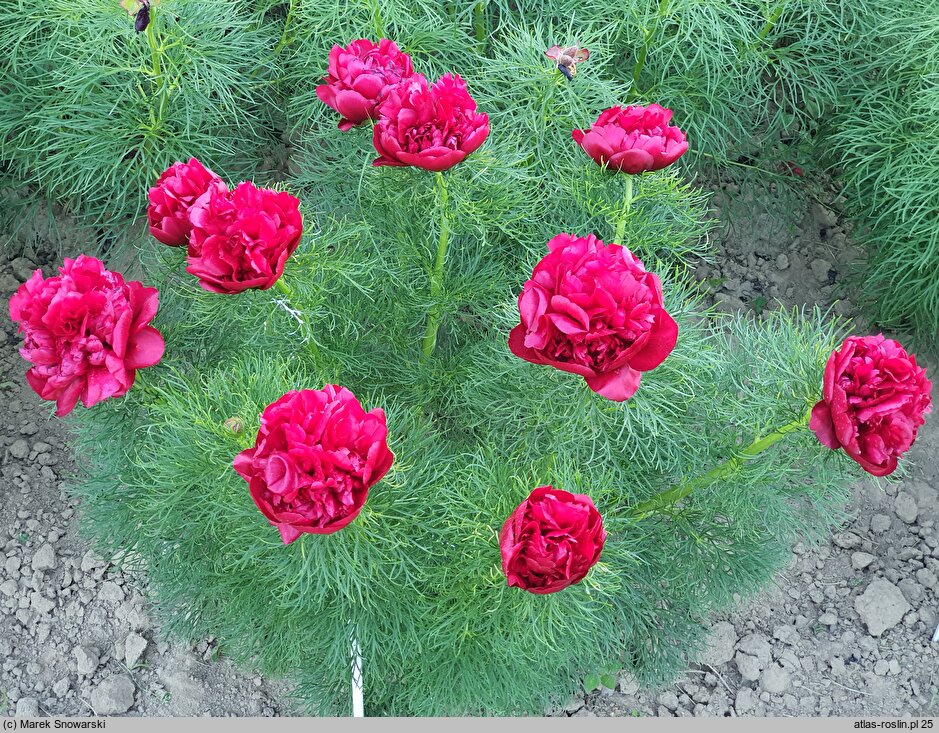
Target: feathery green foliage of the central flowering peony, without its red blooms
[(416, 578)]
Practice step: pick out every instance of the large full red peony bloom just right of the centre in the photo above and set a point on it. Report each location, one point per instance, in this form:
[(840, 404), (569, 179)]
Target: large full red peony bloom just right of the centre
[(592, 309)]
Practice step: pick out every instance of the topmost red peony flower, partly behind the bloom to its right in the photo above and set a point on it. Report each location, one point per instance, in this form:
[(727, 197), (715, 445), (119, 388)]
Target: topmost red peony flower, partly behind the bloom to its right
[(358, 77)]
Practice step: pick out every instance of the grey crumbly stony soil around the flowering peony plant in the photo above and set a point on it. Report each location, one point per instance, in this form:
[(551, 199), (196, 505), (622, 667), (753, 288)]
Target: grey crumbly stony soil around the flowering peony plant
[(804, 642)]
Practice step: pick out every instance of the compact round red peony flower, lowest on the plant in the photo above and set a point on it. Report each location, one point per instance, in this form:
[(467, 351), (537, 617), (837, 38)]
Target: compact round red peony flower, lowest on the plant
[(551, 540)]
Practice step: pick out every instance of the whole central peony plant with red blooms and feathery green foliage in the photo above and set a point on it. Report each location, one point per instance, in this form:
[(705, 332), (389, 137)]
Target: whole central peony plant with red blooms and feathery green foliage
[(367, 468)]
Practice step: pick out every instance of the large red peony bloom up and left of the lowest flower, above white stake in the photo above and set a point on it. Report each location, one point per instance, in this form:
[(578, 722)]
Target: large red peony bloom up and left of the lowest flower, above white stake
[(315, 458)]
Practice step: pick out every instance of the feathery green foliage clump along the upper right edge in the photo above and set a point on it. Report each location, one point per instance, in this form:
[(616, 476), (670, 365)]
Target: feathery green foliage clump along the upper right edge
[(884, 138)]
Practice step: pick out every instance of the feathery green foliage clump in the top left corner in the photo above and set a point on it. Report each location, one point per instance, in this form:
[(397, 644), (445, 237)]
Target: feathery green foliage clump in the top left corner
[(92, 113)]
